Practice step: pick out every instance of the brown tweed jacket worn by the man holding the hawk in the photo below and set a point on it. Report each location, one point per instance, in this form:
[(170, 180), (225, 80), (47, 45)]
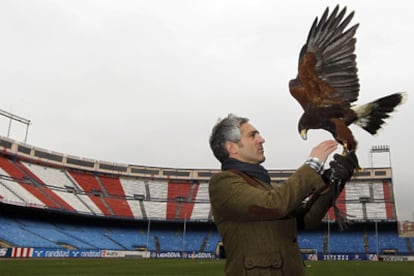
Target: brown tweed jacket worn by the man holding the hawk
[(258, 222)]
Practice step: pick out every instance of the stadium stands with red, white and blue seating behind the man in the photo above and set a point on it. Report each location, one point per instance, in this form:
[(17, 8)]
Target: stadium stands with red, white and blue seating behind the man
[(55, 205)]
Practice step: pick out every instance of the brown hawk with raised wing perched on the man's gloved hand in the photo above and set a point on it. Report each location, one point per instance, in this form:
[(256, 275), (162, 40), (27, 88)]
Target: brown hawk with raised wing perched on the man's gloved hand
[(327, 82)]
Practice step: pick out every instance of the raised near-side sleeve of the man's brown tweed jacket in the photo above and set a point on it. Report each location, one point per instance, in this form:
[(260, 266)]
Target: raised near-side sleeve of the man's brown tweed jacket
[(233, 198)]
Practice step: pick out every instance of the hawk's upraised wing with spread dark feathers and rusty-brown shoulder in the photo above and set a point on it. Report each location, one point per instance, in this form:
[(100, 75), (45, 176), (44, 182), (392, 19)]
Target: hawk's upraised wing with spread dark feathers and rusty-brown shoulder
[(327, 71)]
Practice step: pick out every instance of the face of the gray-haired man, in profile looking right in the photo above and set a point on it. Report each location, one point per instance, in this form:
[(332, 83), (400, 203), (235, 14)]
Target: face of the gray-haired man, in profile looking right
[(250, 148)]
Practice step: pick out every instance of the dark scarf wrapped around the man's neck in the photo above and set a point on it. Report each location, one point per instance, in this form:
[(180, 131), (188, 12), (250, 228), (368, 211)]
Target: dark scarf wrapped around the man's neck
[(252, 170)]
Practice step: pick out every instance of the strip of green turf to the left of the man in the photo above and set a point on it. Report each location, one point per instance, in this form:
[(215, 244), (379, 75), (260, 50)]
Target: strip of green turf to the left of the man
[(111, 267)]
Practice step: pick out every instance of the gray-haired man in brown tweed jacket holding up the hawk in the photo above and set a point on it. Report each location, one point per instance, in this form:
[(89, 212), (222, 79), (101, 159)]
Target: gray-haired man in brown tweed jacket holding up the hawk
[(257, 221)]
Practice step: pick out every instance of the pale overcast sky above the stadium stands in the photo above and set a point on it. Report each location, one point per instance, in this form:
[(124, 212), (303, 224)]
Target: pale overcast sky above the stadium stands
[(143, 82)]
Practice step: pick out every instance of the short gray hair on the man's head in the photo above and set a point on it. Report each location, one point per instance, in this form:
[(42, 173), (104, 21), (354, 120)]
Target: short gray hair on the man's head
[(227, 129)]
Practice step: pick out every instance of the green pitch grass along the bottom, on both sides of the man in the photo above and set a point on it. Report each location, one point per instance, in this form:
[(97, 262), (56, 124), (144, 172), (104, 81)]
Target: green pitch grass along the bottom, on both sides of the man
[(185, 267)]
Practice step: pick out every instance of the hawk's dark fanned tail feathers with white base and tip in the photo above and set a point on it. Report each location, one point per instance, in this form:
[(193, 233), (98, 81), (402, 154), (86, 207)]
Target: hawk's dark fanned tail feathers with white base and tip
[(371, 116)]
